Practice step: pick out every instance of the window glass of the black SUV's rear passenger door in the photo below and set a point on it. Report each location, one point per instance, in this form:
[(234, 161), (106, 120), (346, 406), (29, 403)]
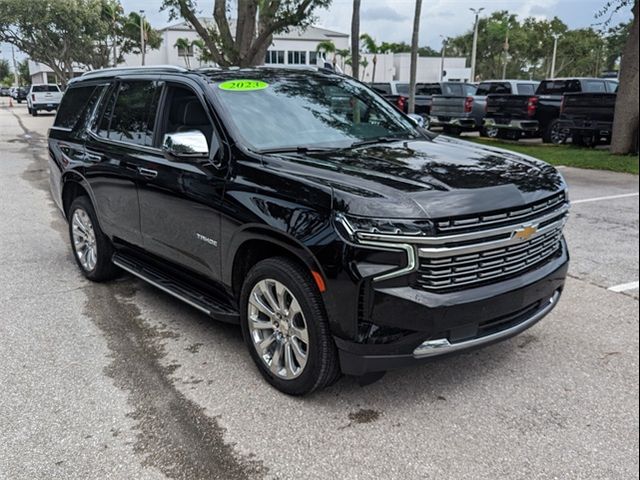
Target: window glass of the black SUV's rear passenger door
[(130, 113)]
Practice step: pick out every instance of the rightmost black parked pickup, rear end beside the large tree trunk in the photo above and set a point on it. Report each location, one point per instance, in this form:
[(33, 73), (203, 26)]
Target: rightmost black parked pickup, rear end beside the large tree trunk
[(588, 117)]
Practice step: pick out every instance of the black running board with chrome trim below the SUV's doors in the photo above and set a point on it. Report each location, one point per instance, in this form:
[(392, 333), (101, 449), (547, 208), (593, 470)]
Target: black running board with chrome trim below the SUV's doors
[(205, 302)]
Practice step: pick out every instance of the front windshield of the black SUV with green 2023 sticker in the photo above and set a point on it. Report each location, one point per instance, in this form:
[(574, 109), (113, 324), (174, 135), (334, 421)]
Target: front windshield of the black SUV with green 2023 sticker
[(277, 111)]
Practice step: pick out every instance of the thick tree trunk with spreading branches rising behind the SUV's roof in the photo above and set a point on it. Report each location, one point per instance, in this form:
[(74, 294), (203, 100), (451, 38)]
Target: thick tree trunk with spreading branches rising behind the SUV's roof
[(257, 22)]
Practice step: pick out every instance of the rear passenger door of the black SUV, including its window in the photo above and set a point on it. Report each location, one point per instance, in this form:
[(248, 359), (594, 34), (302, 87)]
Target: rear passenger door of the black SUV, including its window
[(119, 144)]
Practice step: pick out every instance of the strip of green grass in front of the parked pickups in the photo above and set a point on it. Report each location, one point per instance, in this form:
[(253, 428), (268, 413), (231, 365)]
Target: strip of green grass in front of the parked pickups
[(571, 156)]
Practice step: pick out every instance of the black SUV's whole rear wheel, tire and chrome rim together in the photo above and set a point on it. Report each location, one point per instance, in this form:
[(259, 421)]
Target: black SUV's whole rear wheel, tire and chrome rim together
[(86, 236)]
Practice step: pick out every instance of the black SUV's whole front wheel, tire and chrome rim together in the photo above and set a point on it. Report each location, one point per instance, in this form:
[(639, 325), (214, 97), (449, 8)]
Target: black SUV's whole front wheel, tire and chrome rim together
[(308, 366)]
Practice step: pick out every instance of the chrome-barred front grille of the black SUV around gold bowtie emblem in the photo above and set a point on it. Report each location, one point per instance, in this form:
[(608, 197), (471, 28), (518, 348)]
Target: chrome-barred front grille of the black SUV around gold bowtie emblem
[(497, 256)]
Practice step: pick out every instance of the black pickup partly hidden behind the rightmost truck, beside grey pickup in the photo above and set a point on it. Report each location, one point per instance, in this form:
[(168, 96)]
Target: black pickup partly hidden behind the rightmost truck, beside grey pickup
[(515, 116)]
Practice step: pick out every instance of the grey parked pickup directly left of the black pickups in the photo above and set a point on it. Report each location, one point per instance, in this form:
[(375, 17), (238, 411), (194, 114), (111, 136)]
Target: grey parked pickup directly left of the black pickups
[(464, 111)]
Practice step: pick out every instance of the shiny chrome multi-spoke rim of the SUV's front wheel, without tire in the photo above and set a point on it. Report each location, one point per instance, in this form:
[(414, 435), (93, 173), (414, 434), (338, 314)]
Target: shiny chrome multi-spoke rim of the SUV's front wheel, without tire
[(278, 329)]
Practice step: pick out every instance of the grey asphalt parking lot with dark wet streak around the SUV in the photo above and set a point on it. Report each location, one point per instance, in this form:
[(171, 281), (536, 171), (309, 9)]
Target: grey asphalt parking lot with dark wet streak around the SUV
[(122, 381)]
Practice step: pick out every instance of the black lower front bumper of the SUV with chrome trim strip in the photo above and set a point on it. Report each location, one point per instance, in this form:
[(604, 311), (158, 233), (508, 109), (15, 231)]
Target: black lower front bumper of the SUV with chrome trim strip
[(457, 322)]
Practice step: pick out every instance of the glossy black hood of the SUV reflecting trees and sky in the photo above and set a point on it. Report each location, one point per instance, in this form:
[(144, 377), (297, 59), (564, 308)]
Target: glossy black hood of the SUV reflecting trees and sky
[(436, 178)]
